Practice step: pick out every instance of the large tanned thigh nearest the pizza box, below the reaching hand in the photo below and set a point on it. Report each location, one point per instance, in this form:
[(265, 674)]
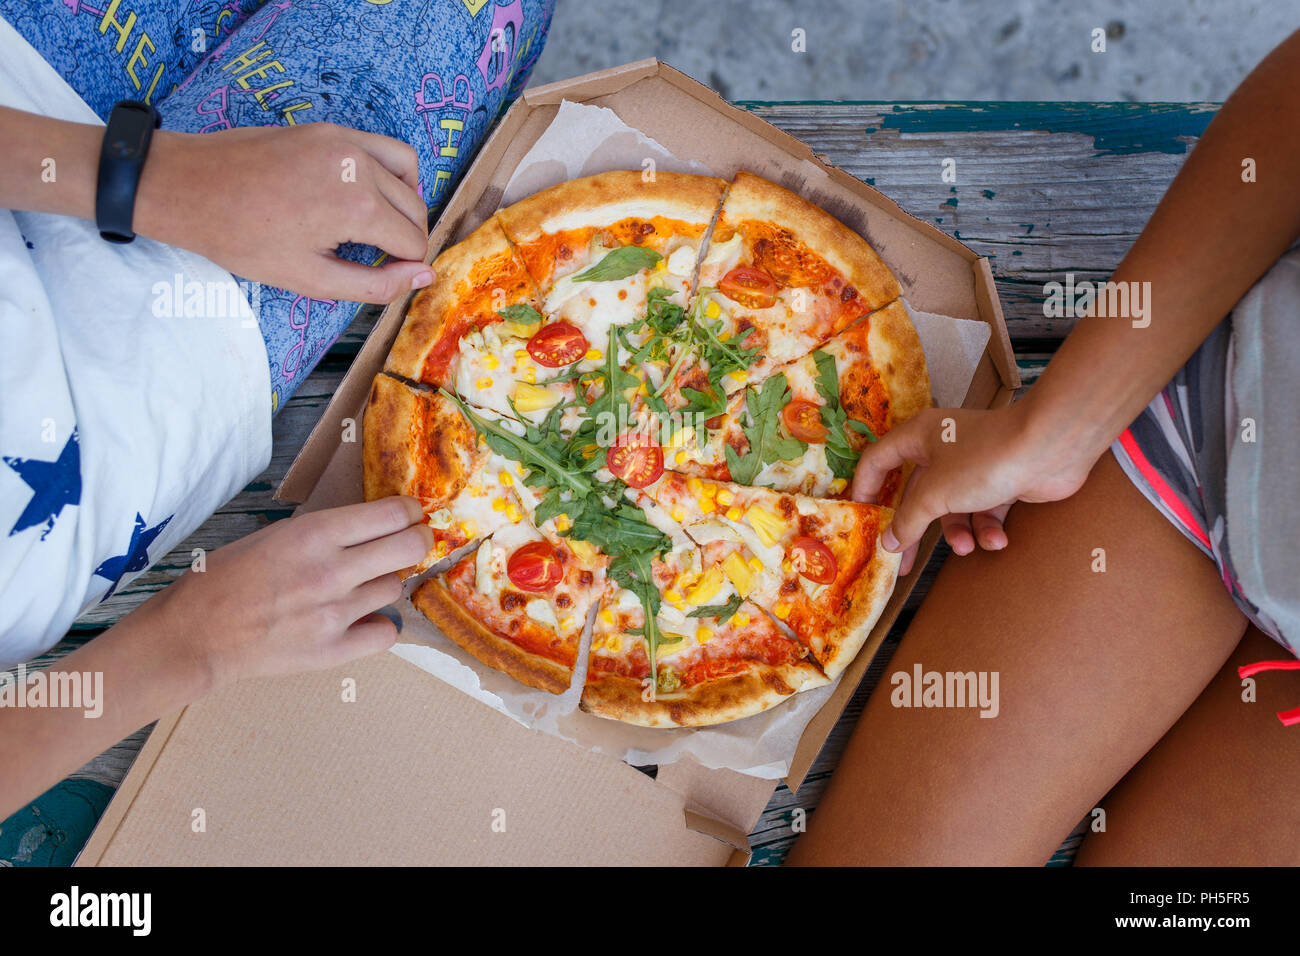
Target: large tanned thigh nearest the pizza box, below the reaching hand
[(1094, 669)]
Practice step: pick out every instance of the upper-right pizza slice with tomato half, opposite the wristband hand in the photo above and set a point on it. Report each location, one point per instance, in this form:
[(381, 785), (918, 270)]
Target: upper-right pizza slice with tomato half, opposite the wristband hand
[(782, 276)]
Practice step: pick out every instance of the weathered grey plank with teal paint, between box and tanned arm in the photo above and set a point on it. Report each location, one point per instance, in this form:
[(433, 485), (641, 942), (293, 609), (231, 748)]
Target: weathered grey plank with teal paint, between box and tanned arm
[(1042, 189)]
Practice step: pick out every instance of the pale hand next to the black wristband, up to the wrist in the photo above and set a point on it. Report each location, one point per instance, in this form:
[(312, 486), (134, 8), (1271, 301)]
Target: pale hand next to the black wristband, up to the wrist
[(272, 204)]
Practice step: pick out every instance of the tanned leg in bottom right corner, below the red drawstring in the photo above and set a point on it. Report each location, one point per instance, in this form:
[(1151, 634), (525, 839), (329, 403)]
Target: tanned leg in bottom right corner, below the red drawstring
[(1221, 788)]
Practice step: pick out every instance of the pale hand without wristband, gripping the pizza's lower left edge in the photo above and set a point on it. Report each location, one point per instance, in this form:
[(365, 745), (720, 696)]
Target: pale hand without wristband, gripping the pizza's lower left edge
[(298, 595)]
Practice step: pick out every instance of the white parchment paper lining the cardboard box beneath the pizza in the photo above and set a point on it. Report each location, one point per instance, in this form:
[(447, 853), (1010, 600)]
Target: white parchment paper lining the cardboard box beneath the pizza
[(583, 141)]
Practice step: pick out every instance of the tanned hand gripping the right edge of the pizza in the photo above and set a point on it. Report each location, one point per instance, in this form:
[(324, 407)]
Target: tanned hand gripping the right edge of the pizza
[(972, 466)]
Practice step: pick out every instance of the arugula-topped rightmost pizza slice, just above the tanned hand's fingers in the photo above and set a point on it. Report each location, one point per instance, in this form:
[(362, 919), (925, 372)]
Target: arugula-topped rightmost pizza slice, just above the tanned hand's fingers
[(820, 413)]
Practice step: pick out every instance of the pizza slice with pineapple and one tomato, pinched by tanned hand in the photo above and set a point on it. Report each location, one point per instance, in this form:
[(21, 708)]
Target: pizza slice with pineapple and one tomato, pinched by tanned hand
[(816, 565)]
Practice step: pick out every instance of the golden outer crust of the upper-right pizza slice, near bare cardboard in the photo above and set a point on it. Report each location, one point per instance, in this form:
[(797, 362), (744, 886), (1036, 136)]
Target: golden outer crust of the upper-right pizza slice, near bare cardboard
[(755, 198)]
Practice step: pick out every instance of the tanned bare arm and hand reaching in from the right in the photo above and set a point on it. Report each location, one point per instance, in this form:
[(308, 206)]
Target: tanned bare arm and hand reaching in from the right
[(1210, 240)]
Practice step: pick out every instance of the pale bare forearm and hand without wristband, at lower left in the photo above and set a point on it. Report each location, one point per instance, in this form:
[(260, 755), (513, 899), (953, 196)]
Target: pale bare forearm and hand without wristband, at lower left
[(294, 596)]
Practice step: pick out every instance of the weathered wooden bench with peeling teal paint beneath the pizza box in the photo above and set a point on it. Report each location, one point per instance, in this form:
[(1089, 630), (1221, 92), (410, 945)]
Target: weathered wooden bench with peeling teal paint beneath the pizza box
[(1042, 189)]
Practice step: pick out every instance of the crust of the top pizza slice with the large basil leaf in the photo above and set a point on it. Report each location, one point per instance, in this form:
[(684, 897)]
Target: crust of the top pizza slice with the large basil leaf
[(608, 198)]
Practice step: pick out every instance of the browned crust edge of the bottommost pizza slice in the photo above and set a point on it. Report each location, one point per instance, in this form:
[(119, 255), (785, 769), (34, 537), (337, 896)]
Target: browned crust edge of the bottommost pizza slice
[(713, 702)]
